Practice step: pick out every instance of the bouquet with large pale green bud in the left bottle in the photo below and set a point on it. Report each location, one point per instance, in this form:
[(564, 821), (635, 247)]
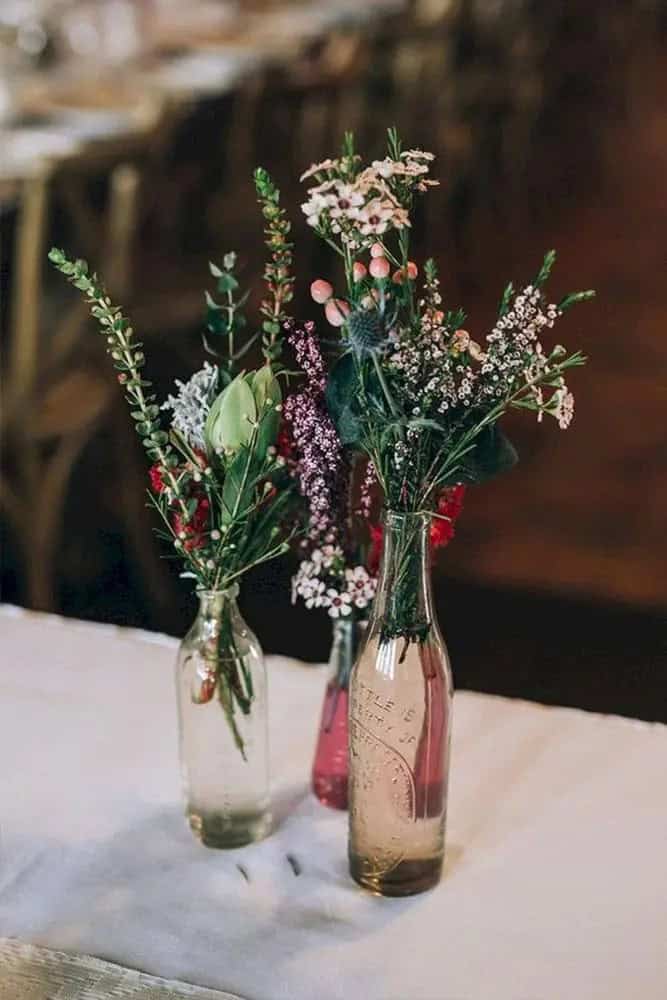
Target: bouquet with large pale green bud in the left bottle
[(218, 484)]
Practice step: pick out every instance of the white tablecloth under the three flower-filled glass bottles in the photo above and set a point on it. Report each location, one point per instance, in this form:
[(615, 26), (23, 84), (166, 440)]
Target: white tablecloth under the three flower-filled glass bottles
[(556, 880)]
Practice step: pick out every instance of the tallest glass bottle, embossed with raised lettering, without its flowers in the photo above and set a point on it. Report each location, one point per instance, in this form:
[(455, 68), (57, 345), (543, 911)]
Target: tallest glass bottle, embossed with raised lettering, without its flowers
[(400, 724)]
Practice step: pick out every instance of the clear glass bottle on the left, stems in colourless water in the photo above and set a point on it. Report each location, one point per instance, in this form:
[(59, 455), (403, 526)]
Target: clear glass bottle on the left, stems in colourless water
[(223, 727)]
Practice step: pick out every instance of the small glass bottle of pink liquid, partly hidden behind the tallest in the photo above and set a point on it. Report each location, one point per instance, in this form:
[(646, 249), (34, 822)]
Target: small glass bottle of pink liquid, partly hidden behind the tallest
[(330, 766)]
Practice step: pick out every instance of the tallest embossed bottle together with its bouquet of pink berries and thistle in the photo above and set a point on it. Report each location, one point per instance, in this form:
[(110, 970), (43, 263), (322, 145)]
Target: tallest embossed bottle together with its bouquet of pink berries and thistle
[(415, 393)]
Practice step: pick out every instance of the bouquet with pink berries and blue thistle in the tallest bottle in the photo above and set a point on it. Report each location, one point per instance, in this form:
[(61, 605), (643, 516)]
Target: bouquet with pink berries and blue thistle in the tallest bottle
[(412, 389)]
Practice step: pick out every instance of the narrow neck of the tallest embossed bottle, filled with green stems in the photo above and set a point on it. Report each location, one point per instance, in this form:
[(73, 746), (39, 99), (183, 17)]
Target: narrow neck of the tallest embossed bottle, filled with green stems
[(404, 601)]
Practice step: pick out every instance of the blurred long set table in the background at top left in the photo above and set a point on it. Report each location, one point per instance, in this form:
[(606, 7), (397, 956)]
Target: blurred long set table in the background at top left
[(121, 61)]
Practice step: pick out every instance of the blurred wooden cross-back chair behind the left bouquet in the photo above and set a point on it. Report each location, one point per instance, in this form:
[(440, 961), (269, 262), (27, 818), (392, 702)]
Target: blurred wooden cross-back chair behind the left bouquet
[(58, 394)]
